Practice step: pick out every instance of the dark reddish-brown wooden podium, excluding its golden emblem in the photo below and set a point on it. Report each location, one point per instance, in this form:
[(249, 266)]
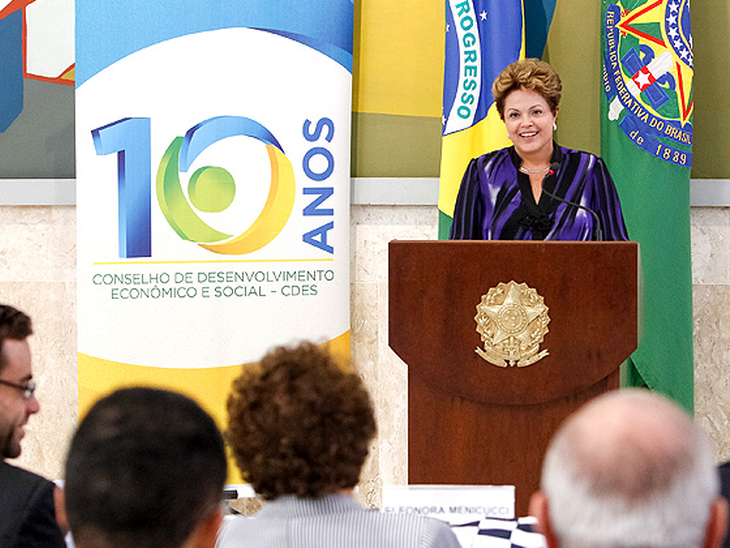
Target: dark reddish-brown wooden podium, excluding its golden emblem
[(472, 422)]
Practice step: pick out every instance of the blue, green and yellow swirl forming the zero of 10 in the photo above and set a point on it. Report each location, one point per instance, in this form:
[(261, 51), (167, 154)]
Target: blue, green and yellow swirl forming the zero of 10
[(211, 189)]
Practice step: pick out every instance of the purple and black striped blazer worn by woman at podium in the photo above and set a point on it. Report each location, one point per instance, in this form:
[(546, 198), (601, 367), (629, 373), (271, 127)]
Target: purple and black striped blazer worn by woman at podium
[(495, 201)]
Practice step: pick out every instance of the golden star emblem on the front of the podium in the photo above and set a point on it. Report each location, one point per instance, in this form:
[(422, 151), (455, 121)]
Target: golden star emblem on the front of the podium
[(512, 321)]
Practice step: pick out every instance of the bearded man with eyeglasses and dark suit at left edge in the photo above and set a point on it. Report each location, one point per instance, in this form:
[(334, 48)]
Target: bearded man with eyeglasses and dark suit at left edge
[(27, 511)]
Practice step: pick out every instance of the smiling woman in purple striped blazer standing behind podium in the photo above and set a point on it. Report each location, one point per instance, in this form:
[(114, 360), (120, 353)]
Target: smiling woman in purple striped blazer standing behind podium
[(535, 189)]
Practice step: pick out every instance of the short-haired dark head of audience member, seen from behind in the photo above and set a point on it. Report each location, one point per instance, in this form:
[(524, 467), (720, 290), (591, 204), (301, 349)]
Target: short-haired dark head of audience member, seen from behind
[(145, 469)]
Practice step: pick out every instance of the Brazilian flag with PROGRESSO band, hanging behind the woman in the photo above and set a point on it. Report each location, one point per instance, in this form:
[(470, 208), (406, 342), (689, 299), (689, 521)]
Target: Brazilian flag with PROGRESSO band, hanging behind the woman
[(482, 38)]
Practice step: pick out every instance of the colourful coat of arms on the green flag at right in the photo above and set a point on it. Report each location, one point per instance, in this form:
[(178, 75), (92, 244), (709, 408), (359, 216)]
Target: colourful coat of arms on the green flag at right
[(647, 75)]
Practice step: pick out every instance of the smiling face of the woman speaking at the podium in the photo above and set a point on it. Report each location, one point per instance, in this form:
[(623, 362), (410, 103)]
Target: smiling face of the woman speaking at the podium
[(529, 122)]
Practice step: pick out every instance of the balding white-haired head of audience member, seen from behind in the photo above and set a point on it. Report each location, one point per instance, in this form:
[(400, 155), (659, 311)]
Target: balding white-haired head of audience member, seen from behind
[(630, 470)]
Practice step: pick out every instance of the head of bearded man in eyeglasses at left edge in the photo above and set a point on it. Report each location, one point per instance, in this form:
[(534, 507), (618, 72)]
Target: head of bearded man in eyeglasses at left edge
[(17, 402)]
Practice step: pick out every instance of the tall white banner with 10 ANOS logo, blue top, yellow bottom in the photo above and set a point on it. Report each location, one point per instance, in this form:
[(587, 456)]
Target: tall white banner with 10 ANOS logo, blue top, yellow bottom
[(213, 180)]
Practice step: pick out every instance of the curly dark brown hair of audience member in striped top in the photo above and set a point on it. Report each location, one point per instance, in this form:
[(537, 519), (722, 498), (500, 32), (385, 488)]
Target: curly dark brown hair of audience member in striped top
[(299, 424)]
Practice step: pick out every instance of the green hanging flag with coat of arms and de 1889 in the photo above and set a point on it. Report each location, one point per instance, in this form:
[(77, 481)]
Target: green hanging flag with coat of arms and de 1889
[(646, 140)]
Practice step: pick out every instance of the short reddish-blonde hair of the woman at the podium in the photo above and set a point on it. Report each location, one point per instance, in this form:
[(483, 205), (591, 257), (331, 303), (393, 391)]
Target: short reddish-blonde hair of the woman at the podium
[(529, 74)]
